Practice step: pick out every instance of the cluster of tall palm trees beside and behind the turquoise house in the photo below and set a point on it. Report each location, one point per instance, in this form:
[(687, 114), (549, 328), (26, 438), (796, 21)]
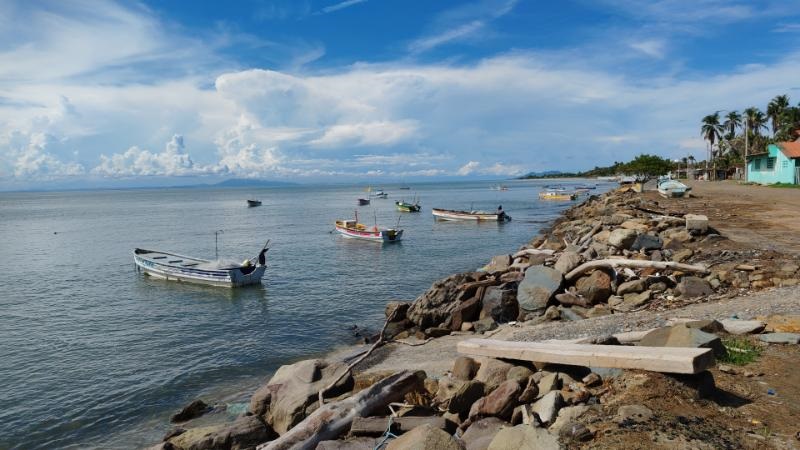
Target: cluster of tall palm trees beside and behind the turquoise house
[(731, 135)]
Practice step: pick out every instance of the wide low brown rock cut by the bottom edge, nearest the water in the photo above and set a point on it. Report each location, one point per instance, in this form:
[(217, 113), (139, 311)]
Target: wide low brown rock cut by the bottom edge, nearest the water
[(244, 433)]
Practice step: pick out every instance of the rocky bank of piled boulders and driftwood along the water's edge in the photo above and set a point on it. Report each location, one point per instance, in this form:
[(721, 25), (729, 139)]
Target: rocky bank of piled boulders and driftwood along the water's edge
[(621, 253)]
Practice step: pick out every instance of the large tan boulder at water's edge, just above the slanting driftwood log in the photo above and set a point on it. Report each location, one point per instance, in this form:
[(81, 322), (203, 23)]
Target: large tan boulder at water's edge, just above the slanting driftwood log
[(294, 387)]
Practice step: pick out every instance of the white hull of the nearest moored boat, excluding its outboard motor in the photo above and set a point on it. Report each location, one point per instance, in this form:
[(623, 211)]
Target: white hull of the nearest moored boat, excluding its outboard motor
[(232, 277)]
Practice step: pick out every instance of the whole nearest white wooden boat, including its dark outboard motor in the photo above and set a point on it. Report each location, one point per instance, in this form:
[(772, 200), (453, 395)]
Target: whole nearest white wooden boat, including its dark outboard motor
[(174, 267)]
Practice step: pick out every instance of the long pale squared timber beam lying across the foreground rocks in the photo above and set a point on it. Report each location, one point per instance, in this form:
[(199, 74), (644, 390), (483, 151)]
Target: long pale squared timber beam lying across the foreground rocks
[(656, 359)]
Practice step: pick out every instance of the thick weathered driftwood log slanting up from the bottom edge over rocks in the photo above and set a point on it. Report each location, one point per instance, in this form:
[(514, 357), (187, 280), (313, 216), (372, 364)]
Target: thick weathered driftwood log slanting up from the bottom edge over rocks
[(333, 419)]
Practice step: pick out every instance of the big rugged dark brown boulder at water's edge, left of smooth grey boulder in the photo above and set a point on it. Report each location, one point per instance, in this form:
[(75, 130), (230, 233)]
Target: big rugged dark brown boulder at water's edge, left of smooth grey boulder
[(436, 305)]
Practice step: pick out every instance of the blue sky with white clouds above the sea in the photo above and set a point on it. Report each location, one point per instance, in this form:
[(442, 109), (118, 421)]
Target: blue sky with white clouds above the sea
[(106, 93)]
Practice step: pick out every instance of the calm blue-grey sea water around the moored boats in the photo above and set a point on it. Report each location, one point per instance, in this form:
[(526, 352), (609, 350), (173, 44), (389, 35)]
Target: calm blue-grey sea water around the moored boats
[(95, 355)]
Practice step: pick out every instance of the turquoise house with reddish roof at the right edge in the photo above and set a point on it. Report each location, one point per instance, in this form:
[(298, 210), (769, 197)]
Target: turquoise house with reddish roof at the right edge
[(779, 164)]
